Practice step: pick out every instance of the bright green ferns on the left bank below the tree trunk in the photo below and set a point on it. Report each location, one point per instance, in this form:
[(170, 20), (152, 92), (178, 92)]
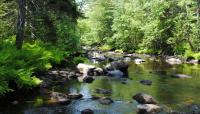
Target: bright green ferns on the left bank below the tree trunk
[(19, 65)]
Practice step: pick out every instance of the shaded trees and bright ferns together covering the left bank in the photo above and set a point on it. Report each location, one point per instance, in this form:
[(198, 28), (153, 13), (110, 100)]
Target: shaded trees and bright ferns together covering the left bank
[(48, 36)]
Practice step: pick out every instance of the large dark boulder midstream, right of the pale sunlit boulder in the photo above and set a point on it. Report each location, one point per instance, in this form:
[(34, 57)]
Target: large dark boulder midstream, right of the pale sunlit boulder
[(118, 65)]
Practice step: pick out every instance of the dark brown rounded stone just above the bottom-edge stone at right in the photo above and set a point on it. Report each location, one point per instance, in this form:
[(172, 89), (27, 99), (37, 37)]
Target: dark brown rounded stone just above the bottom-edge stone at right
[(144, 98)]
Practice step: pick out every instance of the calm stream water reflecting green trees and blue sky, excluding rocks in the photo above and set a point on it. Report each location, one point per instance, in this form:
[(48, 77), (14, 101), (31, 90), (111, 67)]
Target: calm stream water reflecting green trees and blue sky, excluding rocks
[(172, 93)]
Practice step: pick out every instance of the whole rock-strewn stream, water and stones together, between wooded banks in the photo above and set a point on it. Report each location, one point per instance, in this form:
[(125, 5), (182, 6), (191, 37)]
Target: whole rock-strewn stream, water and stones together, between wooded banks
[(115, 83)]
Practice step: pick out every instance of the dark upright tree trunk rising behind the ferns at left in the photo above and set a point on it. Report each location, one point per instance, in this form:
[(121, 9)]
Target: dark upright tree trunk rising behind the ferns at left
[(20, 24)]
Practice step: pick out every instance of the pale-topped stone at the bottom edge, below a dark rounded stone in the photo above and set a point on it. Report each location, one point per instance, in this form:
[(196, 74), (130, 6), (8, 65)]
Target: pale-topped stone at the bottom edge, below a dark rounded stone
[(148, 109)]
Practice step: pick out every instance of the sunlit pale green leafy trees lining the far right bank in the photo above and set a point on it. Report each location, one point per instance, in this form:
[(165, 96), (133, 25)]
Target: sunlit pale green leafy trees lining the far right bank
[(156, 26)]
